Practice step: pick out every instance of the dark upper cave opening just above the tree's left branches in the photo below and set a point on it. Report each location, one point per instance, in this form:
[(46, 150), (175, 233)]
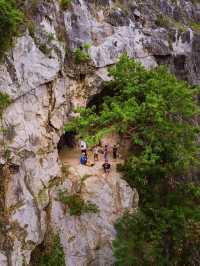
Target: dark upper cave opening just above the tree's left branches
[(98, 98)]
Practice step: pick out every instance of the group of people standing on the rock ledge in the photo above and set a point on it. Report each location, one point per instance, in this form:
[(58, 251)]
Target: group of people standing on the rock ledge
[(106, 165)]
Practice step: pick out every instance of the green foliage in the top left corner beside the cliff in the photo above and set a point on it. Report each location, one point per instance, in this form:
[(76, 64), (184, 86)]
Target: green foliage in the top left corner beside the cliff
[(10, 20)]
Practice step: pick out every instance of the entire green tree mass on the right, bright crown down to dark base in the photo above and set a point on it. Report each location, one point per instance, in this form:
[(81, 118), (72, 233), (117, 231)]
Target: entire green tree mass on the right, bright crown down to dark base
[(157, 113)]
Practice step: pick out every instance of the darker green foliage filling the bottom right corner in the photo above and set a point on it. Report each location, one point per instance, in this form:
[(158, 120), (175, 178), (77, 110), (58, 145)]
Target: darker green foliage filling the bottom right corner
[(164, 235)]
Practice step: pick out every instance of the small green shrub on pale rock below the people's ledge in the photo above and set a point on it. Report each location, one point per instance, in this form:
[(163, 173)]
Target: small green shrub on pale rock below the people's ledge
[(76, 204)]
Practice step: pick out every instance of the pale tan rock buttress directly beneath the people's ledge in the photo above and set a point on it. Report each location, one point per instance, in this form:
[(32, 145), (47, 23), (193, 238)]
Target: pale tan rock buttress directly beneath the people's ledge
[(87, 240)]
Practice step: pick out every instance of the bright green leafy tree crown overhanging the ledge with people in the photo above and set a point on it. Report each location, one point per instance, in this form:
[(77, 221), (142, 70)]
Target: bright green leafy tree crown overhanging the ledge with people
[(151, 108)]
